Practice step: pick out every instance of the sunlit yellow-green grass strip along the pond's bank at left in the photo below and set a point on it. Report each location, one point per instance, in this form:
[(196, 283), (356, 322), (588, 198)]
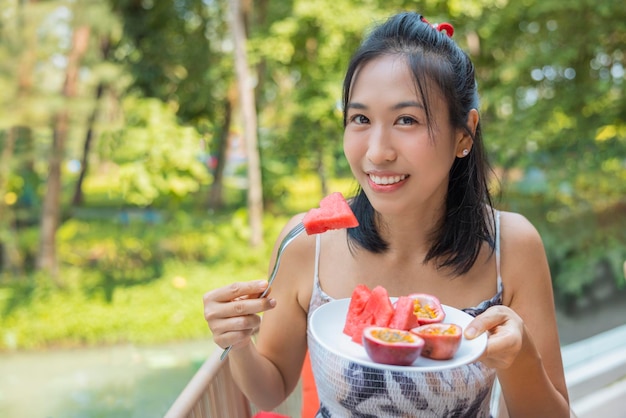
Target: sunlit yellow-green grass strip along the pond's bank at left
[(166, 309)]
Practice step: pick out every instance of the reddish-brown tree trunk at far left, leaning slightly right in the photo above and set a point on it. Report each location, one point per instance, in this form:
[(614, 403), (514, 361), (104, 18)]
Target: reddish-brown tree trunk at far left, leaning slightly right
[(51, 210)]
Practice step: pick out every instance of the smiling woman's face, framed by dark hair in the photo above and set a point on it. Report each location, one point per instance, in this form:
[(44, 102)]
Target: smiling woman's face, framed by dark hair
[(400, 163)]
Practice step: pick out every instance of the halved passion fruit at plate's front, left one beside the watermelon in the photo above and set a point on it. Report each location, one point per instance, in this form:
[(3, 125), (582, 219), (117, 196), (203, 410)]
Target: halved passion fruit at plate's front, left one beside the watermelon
[(392, 346)]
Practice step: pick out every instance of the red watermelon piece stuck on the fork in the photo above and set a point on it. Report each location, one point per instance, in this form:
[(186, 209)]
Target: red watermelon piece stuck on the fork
[(333, 213)]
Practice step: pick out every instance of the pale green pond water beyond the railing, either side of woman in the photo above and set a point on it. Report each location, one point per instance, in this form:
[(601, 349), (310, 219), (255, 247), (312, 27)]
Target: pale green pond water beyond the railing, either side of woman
[(135, 382)]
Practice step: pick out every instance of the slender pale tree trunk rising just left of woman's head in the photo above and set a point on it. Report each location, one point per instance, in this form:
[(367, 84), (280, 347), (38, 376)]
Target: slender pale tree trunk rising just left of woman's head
[(248, 111)]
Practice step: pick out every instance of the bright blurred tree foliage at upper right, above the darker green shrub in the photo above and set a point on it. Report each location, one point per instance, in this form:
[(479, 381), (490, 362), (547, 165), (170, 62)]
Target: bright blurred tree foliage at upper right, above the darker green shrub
[(551, 76)]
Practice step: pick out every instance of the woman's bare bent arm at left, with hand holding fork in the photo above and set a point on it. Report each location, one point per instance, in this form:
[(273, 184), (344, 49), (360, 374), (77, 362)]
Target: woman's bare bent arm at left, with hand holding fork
[(267, 372)]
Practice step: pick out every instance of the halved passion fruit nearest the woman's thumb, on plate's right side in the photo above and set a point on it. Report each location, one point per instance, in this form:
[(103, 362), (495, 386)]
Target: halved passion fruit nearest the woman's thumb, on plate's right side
[(441, 341)]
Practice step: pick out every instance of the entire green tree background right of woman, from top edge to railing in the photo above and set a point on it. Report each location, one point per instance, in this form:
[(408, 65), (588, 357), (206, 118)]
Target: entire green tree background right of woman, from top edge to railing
[(553, 86)]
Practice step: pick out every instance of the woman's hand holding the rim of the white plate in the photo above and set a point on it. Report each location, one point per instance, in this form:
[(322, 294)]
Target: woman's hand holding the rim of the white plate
[(505, 330)]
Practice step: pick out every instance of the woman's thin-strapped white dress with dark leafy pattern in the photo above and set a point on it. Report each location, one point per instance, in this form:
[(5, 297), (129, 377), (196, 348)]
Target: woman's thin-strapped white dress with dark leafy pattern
[(348, 389)]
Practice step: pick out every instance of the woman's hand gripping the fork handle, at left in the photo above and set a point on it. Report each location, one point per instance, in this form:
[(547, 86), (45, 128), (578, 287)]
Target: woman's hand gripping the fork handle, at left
[(232, 312)]
